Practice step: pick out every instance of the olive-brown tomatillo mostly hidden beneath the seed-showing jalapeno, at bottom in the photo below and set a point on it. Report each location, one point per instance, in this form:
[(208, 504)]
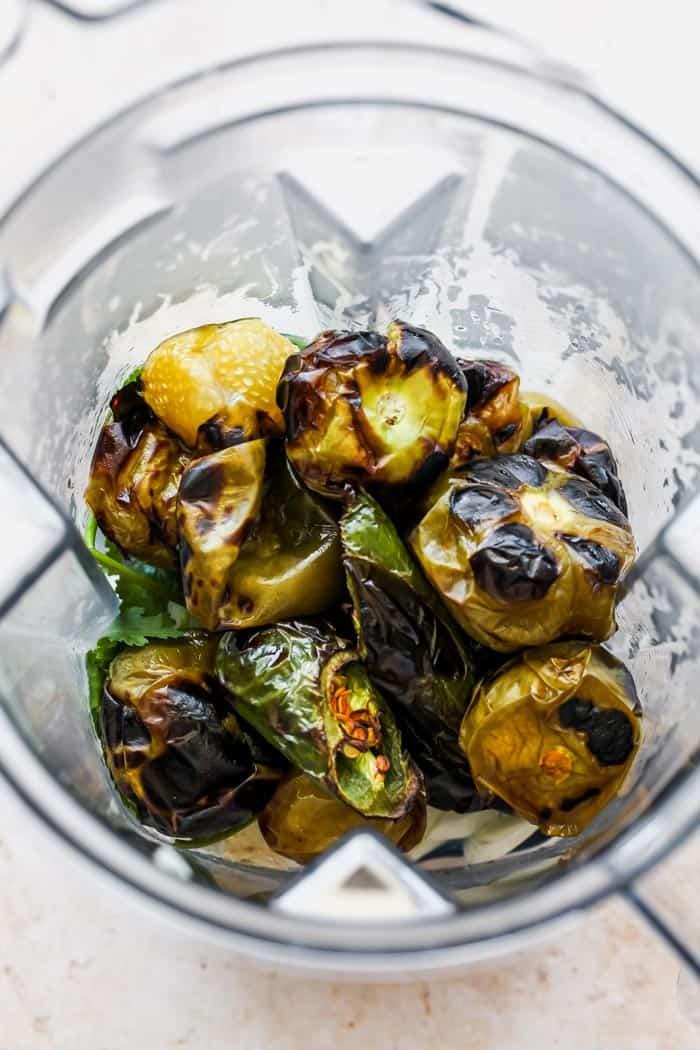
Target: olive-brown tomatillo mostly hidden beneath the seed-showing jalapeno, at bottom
[(304, 818)]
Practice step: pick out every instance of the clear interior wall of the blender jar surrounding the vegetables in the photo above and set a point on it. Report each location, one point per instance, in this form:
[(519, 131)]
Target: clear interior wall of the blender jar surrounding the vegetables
[(350, 214)]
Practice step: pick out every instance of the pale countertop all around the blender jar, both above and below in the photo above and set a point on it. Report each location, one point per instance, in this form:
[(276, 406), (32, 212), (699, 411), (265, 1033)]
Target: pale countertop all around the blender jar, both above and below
[(86, 968)]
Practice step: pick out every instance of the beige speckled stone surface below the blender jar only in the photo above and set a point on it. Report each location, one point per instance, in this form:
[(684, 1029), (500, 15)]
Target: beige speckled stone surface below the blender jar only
[(84, 968)]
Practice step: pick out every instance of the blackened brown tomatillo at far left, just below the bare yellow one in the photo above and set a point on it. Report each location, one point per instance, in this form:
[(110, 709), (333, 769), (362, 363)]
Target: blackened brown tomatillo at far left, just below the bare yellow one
[(135, 478)]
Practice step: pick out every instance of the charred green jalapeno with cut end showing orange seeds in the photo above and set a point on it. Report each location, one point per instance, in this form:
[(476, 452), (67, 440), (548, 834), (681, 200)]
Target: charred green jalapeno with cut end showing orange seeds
[(311, 698)]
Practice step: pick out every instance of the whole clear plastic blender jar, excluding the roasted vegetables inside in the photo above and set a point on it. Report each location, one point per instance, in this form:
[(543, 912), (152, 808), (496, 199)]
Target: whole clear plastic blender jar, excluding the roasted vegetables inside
[(326, 177)]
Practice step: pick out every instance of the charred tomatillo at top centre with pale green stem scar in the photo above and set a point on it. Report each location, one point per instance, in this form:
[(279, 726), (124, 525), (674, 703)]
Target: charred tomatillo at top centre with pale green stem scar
[(366, 409)]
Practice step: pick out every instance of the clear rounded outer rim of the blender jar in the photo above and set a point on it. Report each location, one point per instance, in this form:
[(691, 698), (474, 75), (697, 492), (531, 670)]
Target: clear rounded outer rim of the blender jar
[(425, 944)]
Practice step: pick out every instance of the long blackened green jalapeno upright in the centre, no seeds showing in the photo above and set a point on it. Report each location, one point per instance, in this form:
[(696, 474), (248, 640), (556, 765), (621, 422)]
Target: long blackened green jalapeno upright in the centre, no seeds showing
[(412, 648)]
